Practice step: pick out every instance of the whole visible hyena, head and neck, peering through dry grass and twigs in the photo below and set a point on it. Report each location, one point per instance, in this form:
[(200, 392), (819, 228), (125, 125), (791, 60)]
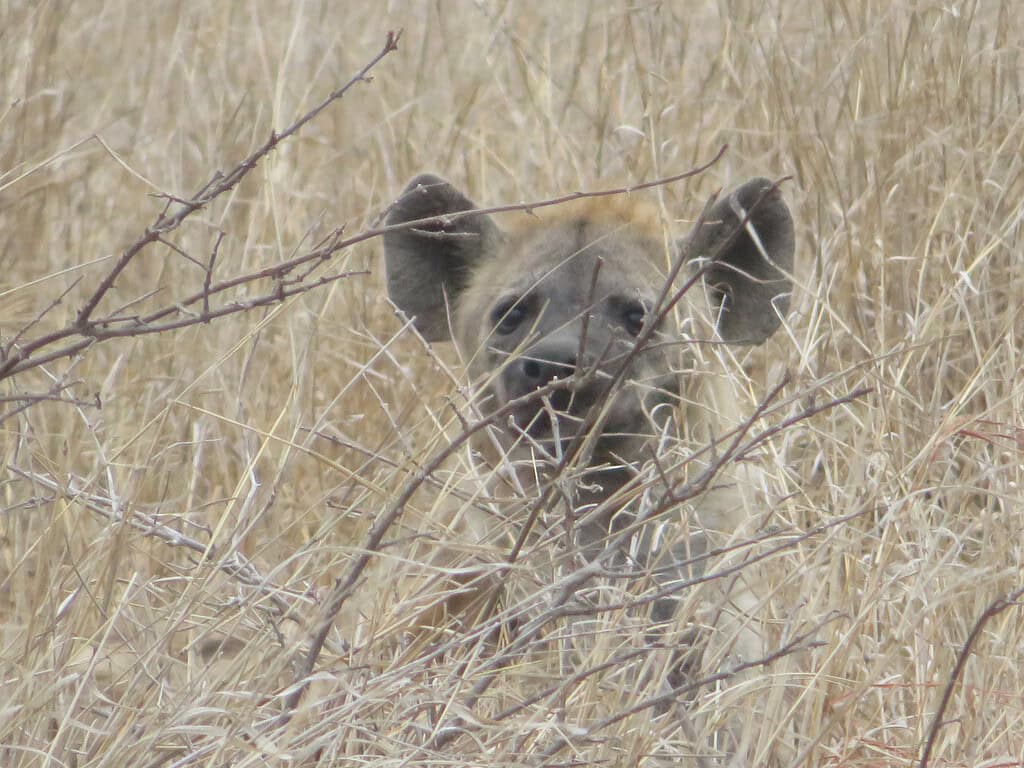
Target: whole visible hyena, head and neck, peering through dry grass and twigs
[(583, 332)]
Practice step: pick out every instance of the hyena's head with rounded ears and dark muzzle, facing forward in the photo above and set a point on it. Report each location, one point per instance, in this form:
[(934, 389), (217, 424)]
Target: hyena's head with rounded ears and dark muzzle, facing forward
[(576, 309)]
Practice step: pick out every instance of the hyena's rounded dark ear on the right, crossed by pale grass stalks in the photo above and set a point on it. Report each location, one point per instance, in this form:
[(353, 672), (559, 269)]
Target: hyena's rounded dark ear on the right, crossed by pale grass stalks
[(749, 278)]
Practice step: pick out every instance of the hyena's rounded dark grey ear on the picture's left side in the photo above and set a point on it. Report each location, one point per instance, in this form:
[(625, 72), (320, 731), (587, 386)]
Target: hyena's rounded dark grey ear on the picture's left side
[(429, 266)]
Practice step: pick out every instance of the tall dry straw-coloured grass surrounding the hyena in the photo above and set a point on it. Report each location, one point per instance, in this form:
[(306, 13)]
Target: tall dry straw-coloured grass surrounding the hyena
[(178, 507)]
